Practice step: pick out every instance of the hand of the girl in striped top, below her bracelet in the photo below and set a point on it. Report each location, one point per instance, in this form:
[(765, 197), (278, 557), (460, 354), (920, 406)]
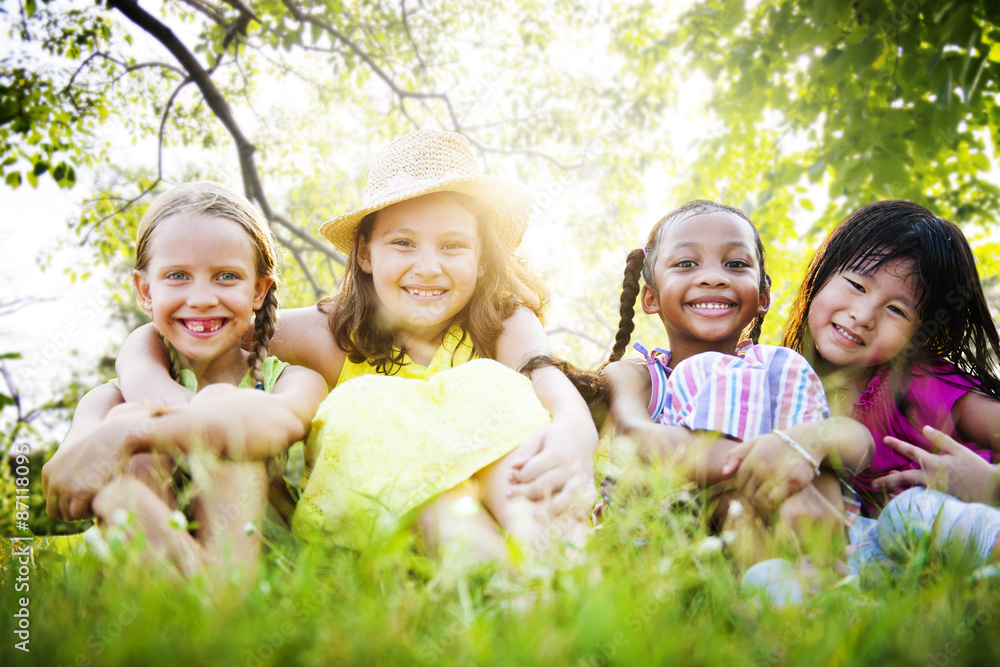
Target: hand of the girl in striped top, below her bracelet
[(768, 471)]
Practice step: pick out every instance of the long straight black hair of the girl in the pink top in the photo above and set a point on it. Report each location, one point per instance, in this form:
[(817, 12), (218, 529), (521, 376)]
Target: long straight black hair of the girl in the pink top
[(956, 324)]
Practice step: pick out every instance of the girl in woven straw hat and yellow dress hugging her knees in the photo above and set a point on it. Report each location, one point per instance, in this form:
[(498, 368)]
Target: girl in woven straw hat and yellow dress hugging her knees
[(423, 421)]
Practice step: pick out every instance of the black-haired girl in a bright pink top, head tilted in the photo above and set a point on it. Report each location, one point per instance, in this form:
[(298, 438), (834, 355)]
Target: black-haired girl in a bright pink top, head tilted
[(892, 315)]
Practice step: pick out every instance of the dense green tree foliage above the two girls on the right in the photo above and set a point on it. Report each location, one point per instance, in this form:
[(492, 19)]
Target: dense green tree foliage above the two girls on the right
[(846, 102)]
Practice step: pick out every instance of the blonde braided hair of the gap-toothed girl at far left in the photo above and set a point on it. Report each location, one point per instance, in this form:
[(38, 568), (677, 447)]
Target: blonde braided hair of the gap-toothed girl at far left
[(207, 199)]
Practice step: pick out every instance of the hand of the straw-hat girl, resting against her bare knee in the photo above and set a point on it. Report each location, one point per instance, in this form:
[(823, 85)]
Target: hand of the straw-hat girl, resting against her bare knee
[(557, 462)]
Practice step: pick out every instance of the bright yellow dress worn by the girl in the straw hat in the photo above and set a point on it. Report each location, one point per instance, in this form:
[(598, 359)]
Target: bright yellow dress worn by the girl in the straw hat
[(383, 445)]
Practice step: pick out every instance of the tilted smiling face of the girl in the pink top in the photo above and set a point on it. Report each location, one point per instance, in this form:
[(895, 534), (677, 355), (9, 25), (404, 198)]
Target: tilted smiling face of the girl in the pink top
[(862, 320)]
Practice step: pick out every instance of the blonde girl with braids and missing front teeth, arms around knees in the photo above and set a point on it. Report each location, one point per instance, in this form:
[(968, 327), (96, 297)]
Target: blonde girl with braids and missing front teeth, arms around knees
[(205, 265)]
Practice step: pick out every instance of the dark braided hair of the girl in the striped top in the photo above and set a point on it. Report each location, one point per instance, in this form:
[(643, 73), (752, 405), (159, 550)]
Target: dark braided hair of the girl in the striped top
[(640, 262)]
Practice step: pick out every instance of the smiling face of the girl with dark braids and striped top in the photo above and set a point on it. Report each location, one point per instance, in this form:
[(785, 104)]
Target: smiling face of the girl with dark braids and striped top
[(706, 283)]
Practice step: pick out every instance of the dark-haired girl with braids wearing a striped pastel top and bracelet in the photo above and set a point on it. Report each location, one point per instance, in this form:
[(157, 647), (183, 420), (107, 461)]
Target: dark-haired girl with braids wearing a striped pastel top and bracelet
[(726, 410)]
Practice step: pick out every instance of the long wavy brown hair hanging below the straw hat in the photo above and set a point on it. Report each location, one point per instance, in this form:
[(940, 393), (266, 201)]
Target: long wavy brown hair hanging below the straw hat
[(506, 284)]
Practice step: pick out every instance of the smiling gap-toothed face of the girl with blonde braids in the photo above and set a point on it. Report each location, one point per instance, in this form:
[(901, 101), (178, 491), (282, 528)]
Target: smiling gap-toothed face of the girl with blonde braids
[(200, 286)]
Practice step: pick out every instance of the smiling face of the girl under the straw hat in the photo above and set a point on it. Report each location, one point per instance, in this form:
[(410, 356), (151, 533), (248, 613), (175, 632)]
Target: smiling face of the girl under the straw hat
[(424, 259)]
